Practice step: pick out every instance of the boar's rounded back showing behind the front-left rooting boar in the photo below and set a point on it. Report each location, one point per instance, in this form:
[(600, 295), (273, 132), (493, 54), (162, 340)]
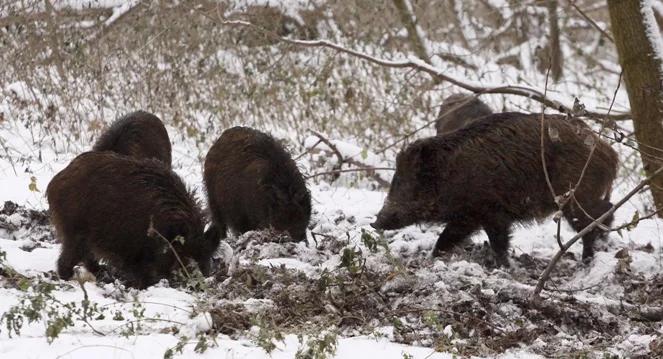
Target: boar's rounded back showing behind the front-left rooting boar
[(139, 134)]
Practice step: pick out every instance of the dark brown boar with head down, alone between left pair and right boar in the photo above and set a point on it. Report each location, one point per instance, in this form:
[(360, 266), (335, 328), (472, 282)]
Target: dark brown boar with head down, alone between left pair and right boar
[(253, 183)]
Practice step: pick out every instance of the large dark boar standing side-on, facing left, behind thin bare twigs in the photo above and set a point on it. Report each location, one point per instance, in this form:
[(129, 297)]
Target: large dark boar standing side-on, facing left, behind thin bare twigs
[(489, 175)]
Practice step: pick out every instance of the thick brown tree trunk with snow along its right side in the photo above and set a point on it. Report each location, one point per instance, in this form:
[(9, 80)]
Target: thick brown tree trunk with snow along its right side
[(635, 32)]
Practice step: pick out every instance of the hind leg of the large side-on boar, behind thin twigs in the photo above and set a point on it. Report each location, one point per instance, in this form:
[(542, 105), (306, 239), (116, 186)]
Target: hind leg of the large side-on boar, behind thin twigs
[(581, 216)]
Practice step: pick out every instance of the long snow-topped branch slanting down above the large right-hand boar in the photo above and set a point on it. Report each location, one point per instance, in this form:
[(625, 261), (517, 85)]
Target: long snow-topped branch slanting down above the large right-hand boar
[(435, 72)]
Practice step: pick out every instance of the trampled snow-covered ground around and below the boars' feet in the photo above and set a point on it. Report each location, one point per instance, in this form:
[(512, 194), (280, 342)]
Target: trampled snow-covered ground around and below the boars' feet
[(160, 317)]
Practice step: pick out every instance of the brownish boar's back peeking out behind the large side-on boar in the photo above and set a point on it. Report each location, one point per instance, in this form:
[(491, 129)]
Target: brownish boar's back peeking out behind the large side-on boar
[(459, 110)]
